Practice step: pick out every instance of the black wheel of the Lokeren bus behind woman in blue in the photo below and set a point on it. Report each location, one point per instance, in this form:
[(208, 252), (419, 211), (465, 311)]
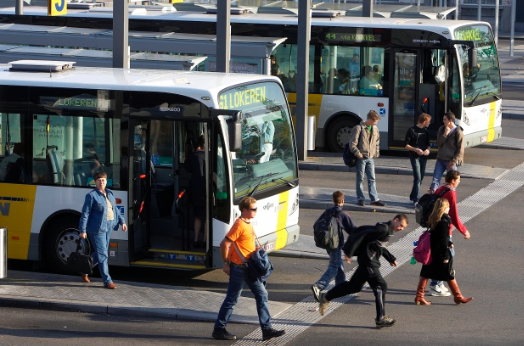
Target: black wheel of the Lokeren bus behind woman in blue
[(61, 240)]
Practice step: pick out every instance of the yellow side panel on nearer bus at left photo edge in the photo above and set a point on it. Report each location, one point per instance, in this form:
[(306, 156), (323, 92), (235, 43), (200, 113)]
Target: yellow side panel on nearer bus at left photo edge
[(16, 214)]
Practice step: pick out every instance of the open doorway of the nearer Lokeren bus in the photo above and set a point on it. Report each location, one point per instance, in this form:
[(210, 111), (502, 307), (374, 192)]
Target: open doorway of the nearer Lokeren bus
[(164, 211)]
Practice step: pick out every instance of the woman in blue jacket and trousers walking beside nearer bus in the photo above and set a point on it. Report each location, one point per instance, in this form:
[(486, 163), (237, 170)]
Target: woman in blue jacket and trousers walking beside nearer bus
[(100, 217)]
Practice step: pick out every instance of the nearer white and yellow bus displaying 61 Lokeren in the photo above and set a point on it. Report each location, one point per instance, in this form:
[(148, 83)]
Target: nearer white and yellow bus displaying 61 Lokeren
[(60, 124)]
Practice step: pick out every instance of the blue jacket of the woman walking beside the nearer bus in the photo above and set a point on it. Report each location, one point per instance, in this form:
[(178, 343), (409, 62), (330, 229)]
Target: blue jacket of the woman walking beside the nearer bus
[(94, 213)]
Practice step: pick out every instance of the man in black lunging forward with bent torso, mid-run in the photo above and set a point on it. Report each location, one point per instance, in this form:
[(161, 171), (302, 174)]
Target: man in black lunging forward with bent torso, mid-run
[(366, 244)]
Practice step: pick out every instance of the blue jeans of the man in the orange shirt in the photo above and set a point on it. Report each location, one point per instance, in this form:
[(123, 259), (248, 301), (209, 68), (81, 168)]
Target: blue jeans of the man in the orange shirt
[(237, 278)]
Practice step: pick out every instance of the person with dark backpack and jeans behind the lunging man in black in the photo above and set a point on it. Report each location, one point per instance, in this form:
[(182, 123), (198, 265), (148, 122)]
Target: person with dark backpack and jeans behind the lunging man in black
[(336, 266)]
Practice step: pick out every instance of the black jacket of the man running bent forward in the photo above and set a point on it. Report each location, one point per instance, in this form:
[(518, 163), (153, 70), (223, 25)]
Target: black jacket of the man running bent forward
[(366, 244)]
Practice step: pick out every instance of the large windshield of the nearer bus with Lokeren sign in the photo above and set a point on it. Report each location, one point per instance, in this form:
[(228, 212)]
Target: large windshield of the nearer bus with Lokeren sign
[(267, 157)]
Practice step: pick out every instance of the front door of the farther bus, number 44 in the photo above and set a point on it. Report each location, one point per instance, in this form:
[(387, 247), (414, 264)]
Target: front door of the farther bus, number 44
[(404, 95)]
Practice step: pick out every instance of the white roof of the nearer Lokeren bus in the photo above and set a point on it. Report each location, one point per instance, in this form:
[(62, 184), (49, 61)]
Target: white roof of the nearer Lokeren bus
[(196, 85)]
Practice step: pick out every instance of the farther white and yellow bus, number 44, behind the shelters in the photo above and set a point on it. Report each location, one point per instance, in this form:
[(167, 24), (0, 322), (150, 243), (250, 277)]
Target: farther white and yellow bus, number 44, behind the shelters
[(421, 65)]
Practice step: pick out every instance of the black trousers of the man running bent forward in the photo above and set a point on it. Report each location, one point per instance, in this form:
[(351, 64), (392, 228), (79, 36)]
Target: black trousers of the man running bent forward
[(362, 274)]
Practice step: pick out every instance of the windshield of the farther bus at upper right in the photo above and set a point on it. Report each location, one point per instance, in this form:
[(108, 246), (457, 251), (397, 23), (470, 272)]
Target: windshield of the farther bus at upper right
[(481, 82)]
